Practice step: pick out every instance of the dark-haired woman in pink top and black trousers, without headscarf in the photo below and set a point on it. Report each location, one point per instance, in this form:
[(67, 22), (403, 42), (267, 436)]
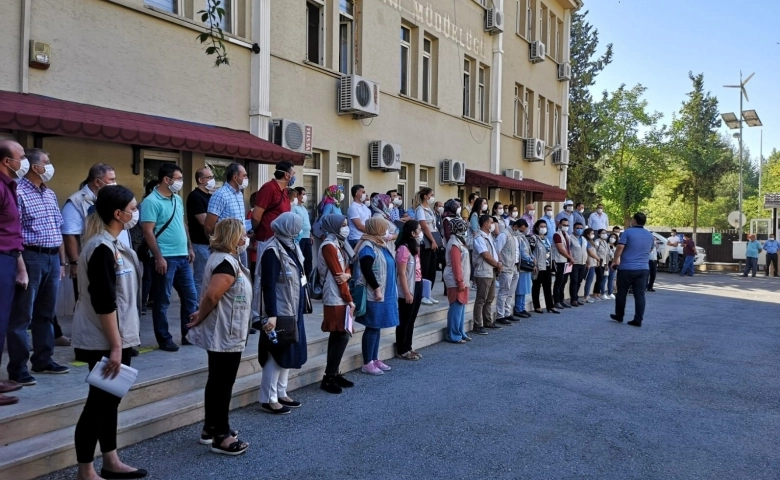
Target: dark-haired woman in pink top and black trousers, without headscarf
[(407, 259)]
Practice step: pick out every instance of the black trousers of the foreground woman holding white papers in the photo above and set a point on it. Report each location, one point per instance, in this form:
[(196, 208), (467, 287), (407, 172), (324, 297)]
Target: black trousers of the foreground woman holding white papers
[(98, 420)]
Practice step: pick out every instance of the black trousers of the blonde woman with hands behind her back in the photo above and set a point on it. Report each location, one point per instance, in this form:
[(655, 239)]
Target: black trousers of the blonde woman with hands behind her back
[(223, 368)]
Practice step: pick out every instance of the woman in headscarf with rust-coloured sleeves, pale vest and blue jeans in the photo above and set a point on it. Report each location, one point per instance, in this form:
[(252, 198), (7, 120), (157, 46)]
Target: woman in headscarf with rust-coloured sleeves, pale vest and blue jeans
[(456, 277)]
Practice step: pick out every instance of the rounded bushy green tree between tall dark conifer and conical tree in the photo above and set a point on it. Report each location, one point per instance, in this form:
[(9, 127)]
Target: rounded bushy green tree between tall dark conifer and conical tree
[(631, 149)]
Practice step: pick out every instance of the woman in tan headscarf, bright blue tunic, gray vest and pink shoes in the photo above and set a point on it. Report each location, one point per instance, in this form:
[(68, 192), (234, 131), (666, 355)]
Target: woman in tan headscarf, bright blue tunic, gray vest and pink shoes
[(377, 273)]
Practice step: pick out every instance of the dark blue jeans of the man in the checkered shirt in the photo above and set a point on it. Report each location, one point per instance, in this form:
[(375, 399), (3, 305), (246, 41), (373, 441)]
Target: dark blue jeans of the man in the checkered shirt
[(34, 308)]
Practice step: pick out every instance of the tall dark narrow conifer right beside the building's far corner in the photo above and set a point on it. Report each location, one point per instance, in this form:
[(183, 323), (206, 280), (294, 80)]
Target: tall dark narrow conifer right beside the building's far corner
[(584, 128)]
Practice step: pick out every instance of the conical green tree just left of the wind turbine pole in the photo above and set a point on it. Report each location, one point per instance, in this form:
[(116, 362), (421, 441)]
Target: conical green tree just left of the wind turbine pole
[(701, 153)]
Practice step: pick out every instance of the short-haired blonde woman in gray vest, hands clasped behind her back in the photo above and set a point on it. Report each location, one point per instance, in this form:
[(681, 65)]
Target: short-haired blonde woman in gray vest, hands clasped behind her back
[(221, 327)]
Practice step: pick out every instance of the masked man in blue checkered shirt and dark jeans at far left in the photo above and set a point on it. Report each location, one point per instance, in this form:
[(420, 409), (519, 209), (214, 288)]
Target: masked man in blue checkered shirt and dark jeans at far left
[(45, 263)]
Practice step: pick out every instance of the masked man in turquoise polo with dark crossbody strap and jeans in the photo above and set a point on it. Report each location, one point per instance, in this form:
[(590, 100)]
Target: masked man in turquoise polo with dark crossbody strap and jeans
[(162, 220)]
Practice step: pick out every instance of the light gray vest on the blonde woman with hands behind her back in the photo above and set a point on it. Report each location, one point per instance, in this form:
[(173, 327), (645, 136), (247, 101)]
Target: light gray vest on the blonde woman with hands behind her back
[(225, 329)]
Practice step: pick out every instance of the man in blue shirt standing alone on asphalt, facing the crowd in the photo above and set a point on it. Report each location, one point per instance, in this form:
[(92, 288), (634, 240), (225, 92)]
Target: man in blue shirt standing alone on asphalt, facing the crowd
[(633, 268)]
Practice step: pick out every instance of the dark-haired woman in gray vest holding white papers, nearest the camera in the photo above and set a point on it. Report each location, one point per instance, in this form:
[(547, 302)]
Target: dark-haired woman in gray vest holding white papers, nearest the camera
[(106, 324)]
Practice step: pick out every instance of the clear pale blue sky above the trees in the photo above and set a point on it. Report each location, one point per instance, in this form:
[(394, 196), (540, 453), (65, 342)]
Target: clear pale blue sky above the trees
[(657, 42)]
